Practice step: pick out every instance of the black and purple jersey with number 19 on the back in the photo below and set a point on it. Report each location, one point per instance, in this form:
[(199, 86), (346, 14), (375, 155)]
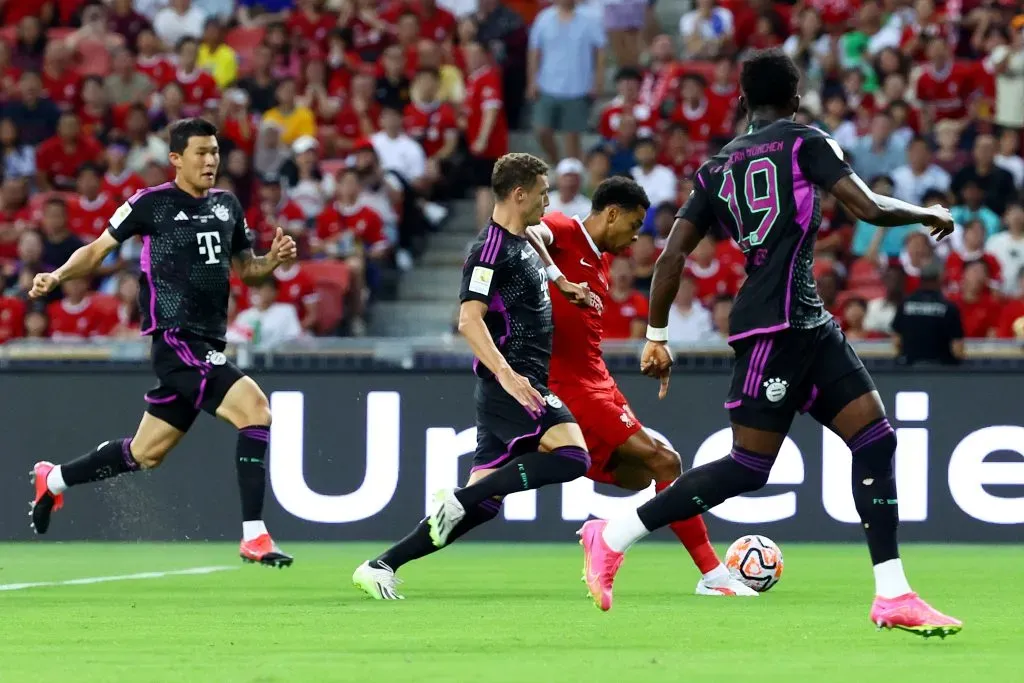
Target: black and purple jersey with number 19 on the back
[(761, 189)]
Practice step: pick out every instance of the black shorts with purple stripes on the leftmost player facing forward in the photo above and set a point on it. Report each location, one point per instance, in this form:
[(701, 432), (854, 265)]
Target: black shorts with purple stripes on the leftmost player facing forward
[(194, 375)]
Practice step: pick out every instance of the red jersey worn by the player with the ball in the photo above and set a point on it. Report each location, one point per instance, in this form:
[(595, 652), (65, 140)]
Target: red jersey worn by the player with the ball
[(576, 352)]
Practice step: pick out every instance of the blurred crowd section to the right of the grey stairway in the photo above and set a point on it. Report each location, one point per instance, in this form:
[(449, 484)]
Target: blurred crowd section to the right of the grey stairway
[(927, 102)]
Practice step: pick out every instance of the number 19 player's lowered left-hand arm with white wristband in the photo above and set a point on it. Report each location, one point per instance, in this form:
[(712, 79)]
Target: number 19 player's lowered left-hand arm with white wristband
[(657, 359)]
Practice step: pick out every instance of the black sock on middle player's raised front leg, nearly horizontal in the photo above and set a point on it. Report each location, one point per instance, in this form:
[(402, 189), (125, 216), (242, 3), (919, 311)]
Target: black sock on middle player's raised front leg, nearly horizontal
[(529, 472)]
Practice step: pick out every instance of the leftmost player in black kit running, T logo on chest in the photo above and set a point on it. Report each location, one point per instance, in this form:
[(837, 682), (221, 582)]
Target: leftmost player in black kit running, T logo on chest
[(192, 236)]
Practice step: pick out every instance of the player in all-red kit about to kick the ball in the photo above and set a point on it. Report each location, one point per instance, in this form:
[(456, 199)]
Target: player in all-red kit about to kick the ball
[(622, 452)]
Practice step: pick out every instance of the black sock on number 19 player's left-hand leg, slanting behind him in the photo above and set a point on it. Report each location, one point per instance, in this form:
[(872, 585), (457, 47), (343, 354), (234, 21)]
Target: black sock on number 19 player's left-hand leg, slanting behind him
[(703, 488)]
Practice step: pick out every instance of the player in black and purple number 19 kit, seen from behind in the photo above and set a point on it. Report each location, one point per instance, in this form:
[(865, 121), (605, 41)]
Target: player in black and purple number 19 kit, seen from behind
[(791, 355)]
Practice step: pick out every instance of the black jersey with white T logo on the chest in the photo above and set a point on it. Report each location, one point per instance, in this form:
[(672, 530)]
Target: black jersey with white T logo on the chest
[(188, 245)]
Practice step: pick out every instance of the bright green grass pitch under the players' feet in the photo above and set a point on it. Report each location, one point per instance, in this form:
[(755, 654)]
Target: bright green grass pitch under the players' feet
[(492, 614)]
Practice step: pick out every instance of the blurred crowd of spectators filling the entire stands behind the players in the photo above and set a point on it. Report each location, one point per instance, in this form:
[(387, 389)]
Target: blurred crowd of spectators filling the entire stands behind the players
[(352, 123)]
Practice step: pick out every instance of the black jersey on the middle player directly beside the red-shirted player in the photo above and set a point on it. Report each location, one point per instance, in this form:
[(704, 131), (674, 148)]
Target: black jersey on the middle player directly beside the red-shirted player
[(504, 272)]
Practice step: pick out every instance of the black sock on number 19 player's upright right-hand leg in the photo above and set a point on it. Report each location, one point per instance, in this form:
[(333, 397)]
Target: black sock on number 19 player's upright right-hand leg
[(875, 488)]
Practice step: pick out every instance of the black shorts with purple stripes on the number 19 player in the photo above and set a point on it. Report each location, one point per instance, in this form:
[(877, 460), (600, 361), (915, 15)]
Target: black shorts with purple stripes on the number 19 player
[(795, 371)]
